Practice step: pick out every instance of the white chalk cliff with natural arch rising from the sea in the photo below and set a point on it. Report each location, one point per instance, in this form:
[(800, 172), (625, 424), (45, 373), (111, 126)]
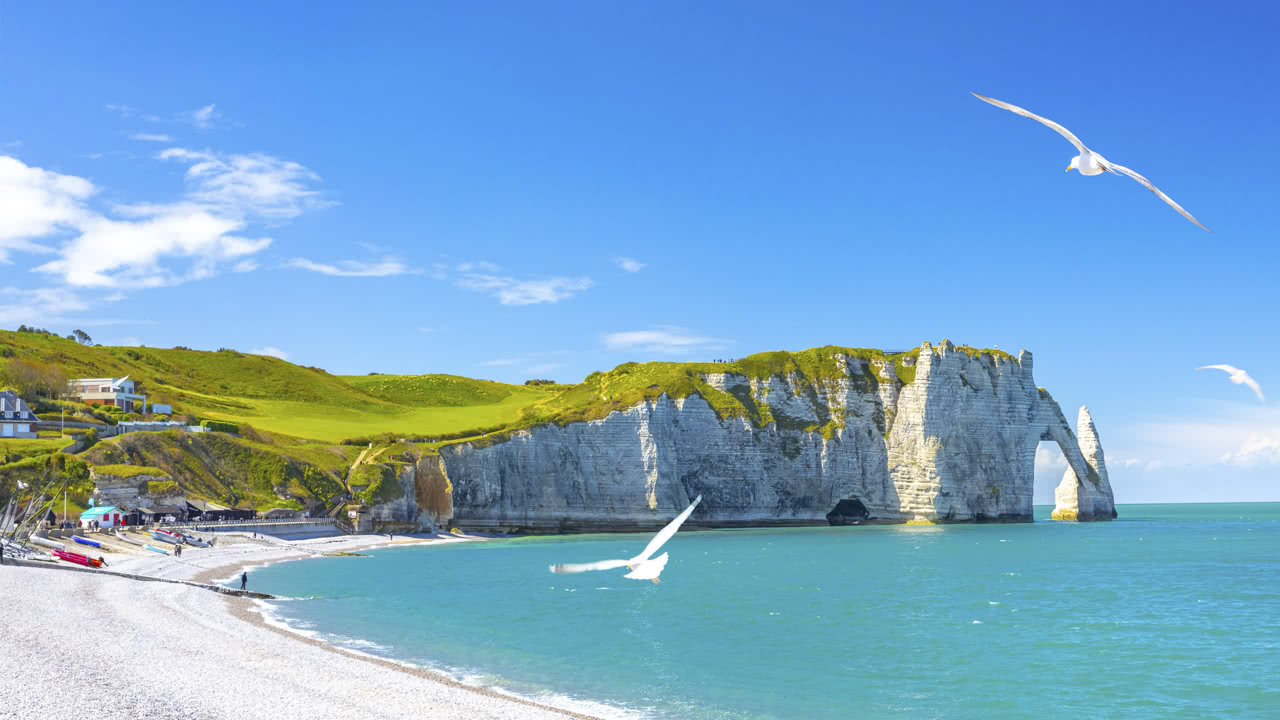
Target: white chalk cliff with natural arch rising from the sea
[(956, 444)]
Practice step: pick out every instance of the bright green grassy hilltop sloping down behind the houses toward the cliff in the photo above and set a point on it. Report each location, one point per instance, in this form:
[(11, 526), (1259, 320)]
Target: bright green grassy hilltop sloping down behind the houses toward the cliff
[(273, 395)]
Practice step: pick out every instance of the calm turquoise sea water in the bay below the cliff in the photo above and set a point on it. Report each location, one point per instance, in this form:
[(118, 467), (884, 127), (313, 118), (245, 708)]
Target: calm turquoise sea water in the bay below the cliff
[(1171, 612)]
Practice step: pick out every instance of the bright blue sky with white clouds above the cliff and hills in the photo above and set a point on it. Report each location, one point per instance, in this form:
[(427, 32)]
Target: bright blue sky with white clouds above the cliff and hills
[(545, 190)]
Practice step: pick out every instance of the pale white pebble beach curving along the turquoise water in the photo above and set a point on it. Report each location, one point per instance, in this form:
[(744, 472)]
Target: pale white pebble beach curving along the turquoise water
[(81, 642)]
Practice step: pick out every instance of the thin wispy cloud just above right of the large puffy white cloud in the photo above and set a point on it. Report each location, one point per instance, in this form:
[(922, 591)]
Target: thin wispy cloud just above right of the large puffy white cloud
[(253, 185)]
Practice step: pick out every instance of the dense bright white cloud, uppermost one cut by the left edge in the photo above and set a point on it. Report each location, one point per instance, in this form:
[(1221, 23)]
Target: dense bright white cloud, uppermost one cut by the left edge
[(36, 203)]
